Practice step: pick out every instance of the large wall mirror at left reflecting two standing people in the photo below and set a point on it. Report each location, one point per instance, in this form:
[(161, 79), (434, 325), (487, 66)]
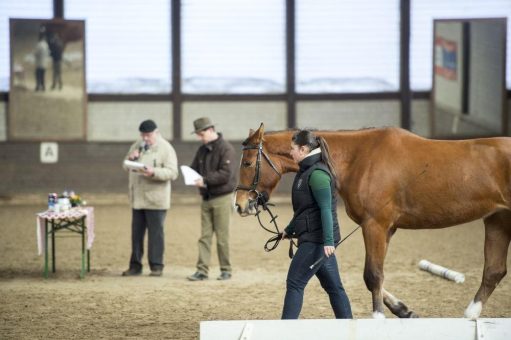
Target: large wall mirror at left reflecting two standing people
[(47, 96)]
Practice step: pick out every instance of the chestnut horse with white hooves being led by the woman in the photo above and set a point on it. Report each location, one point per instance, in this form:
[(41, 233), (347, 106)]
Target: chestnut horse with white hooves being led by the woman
[(390, 178)]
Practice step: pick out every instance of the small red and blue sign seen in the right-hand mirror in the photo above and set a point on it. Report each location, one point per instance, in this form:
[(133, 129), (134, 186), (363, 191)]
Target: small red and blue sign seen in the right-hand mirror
[(446, 58)]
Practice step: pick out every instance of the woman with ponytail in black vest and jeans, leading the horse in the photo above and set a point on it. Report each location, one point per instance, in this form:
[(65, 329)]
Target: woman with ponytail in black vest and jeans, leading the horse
[(315, 225)]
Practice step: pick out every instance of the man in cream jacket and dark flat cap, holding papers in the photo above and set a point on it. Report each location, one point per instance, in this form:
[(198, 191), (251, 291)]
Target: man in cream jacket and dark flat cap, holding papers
[(149, 191)]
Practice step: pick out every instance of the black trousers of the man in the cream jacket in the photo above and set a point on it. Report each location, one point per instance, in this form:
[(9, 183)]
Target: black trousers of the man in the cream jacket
[(153, 221)]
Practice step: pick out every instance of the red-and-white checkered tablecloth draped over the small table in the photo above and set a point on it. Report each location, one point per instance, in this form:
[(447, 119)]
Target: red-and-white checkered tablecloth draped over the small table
[(71, 214)]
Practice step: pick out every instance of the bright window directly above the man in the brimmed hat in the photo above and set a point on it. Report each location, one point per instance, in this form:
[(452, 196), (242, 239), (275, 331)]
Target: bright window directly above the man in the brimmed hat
[(233, 46)]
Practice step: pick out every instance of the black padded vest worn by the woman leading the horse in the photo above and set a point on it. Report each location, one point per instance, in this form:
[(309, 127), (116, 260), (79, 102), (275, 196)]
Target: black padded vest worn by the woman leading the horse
[(307, 215)]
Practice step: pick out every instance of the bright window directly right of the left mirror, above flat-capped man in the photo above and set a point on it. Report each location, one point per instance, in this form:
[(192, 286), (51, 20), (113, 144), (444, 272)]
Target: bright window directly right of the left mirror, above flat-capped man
[(128, 44)]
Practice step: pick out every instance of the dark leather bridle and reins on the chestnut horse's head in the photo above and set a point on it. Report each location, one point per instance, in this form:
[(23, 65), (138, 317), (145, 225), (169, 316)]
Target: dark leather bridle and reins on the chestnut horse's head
[(261, 198)]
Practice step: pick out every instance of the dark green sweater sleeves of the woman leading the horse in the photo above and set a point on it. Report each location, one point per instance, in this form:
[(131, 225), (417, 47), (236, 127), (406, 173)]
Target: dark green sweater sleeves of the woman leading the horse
[(322, 192)]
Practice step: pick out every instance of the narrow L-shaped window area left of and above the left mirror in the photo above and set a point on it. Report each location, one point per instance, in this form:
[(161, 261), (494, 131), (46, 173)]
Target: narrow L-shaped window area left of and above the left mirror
[(26, 9)]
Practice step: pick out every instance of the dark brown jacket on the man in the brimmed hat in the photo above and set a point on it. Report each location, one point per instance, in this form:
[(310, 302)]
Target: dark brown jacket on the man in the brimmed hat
[(214, 161)]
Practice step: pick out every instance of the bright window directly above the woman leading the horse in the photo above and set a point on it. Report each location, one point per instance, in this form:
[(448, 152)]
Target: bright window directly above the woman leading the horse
[(347, 46)]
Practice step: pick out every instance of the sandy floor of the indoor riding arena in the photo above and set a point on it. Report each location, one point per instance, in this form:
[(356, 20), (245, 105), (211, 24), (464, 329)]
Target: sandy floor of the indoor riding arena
[(106, 305)]
